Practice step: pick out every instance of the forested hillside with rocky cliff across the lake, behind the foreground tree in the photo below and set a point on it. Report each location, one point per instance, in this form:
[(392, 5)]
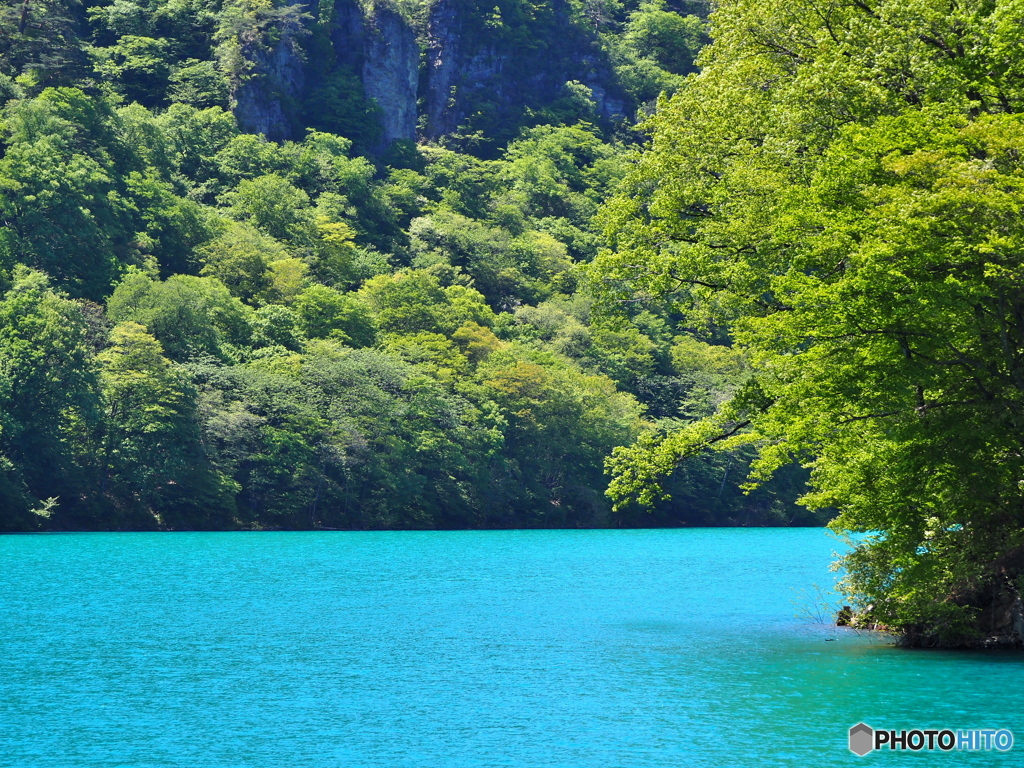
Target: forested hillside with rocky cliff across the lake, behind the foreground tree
[(245, 282)]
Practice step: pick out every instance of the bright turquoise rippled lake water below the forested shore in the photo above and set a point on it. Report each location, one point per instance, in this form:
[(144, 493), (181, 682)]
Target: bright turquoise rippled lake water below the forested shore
[(568, 649)]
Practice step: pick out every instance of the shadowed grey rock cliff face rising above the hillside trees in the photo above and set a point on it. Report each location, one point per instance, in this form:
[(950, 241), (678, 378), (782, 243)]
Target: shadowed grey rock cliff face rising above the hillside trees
[(473, 70)]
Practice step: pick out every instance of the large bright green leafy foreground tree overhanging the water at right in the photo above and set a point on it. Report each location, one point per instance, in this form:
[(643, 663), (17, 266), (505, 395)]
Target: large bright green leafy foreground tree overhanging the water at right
[(841, 191)]
